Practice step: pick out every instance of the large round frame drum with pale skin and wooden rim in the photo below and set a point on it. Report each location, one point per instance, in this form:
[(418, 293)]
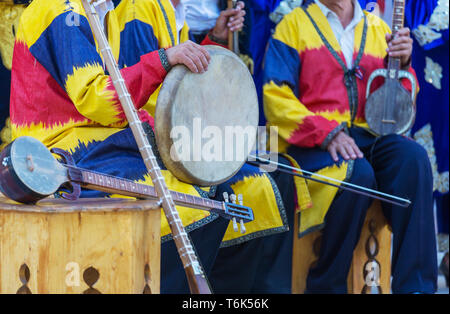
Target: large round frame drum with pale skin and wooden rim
[(169, 100)]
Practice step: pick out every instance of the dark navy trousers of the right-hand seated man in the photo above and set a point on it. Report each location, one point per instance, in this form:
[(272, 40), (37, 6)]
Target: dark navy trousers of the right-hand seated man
[(398, 166)]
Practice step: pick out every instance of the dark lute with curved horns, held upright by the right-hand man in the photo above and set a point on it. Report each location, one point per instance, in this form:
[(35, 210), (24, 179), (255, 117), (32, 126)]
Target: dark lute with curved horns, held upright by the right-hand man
[(391, 109)]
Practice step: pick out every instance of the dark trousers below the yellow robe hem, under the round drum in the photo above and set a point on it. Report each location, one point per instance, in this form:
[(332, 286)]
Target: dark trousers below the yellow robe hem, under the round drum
[(262, 265)]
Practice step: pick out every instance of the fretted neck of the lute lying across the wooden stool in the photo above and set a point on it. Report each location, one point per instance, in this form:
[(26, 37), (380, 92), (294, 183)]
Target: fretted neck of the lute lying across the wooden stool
[(115, 185)]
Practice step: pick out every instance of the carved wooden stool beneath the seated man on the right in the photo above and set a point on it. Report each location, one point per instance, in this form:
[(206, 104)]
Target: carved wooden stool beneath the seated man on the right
[(371, 267)]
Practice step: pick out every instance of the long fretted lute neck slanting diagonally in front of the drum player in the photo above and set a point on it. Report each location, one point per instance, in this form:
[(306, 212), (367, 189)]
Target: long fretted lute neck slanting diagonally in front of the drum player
[(197, 280)]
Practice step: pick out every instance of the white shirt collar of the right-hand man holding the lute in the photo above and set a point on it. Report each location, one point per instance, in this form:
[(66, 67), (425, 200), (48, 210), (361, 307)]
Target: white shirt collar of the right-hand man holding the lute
[(345, 37)]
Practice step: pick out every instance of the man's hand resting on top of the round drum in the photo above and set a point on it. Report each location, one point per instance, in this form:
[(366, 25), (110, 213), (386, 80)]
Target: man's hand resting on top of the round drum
[(194, 56)]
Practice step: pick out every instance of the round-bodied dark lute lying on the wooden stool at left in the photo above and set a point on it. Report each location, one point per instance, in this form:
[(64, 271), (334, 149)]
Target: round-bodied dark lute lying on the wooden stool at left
[(29, 173)]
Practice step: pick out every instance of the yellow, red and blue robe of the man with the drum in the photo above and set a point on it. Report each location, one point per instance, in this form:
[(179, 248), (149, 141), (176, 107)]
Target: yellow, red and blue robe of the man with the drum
[(62, 95)]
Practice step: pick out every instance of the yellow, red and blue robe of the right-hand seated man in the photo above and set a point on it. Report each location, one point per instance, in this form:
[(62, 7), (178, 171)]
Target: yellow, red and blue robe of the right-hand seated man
[(306, 99)]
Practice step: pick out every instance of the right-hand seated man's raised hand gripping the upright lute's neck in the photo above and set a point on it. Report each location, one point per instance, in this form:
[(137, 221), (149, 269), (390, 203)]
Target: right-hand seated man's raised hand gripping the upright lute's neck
[(400, 46)]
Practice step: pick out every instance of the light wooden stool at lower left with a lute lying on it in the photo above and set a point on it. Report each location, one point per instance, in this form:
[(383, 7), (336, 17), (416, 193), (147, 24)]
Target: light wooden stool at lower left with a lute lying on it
[(87, 246)]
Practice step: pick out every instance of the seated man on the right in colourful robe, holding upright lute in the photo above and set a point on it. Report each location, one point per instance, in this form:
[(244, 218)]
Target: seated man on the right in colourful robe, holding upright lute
[(316, 72)]
